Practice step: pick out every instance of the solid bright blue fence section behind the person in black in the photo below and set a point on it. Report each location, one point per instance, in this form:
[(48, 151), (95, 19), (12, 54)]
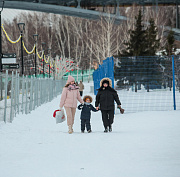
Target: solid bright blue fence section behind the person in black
[(104, 70)]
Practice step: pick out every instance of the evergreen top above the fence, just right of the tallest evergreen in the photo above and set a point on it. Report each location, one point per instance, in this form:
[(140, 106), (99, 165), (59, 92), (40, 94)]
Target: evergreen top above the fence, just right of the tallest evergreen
[(151, 36)]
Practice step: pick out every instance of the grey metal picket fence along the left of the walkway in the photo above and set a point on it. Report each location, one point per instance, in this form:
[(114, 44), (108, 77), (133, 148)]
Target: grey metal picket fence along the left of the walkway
[(23, 94)]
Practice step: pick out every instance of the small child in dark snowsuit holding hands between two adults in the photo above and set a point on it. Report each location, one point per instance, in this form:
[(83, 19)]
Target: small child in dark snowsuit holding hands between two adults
[(87, 107)]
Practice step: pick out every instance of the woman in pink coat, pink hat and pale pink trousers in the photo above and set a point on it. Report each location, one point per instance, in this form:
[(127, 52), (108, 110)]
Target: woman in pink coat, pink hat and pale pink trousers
[(70, 96)]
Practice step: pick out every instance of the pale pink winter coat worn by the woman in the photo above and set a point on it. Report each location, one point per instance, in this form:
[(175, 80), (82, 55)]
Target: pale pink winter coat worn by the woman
[(69, 98)]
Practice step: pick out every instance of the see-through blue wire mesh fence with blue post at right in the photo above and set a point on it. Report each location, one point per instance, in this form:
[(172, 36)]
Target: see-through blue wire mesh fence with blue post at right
[(147, 84)]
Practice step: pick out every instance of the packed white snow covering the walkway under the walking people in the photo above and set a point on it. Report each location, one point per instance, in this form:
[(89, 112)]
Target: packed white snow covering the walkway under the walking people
[(143, 144)]
